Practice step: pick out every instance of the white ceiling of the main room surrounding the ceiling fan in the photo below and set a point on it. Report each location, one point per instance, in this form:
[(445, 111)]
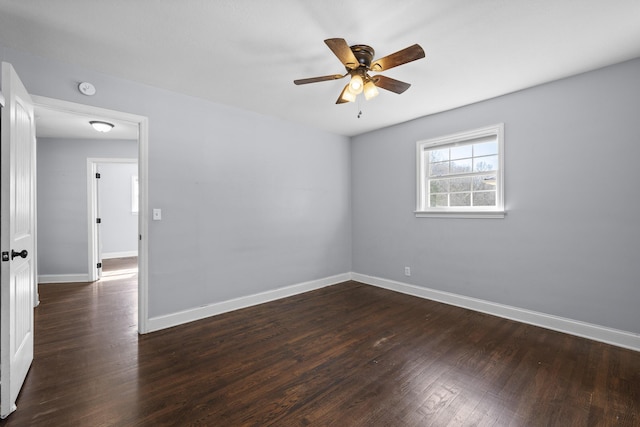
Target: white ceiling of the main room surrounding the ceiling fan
[(246, 53)]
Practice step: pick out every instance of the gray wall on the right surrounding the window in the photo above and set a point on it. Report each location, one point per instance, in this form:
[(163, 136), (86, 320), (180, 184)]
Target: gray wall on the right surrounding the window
[(570, 243)]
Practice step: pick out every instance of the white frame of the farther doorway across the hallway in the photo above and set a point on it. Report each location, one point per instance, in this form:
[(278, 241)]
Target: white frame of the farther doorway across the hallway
[(95, 254)]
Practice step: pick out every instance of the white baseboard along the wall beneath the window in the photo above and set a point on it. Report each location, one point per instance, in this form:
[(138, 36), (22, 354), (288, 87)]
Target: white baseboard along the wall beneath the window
[(574, 327)]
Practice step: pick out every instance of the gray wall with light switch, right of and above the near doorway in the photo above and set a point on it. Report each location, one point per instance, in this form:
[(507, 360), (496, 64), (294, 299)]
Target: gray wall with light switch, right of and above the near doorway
[(249, 203)]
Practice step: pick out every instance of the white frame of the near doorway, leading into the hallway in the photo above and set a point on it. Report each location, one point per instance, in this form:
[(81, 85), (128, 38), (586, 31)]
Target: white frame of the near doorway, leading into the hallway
[(143, 171)]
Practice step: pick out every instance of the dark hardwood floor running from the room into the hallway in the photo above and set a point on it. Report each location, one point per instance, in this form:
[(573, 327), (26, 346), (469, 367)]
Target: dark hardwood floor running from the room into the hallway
[(345, 355)]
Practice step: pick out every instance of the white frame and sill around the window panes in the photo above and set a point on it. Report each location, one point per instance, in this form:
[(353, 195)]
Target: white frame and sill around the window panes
[(461, 138)]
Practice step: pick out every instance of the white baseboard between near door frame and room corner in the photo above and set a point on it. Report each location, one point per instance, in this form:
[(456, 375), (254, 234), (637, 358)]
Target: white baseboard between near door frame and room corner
[(175, 319)]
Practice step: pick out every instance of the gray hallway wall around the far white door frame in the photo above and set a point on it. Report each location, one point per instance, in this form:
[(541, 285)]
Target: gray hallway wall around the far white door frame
[(62, 200)]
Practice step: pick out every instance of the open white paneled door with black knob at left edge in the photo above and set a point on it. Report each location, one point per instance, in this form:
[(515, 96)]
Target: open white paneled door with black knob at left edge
[(18, 266)]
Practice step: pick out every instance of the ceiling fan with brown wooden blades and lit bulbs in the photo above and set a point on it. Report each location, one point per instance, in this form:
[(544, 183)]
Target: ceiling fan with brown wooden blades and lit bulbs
[(358, 61)]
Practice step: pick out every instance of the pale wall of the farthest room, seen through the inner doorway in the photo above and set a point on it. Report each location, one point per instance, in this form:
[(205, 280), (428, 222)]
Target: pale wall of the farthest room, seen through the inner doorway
[(119, 226)]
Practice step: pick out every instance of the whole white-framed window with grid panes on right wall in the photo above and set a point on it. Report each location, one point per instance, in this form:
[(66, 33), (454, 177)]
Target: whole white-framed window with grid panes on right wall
[(461, 175)]
